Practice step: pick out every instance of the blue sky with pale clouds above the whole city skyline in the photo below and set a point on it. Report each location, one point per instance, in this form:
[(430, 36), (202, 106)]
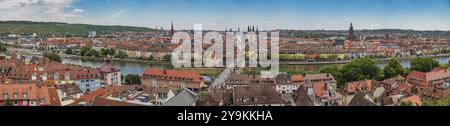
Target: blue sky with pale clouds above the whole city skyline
[(221, 14)]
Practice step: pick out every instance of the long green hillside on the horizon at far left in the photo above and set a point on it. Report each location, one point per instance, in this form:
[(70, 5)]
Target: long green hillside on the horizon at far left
[(45, 29)]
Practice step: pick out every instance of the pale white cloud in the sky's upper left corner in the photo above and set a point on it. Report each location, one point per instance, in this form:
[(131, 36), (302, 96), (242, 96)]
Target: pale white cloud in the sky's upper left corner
[(39, 10)]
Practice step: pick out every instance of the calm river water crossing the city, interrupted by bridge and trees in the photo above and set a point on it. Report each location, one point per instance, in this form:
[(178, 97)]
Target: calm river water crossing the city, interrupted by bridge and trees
[(134, 68)]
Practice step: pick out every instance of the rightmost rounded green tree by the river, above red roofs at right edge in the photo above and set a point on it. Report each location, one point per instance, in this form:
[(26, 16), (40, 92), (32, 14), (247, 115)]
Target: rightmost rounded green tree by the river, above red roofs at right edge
[(424, 64)]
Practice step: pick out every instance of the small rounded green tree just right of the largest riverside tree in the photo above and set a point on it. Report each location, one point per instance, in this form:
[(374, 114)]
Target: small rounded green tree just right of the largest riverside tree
[(393, 68)]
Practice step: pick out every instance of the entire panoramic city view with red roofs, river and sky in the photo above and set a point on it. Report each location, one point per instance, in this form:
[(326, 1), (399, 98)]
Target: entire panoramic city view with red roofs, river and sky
[(76, 53)]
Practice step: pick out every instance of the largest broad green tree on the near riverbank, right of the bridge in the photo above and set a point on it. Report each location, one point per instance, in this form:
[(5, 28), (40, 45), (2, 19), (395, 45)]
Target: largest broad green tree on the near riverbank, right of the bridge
[(360, 69)]
